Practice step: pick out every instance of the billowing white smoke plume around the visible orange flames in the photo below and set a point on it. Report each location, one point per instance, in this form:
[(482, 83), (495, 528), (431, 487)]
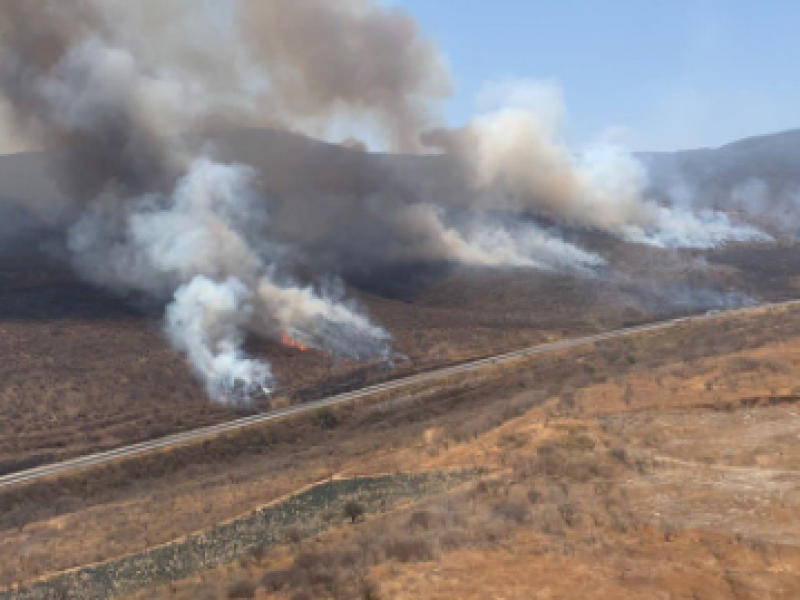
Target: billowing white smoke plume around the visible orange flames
[(196, 247)]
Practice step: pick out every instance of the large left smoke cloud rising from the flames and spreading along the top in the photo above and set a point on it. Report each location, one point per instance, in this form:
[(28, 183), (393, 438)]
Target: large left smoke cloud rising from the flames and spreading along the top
[(104, 83)]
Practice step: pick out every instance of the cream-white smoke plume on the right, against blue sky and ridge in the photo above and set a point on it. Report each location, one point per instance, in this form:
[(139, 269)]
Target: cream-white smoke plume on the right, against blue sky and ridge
[(520, 163)]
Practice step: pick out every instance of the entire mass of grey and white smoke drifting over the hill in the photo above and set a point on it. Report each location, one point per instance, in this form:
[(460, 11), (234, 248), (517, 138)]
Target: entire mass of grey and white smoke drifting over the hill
[(112, 84)]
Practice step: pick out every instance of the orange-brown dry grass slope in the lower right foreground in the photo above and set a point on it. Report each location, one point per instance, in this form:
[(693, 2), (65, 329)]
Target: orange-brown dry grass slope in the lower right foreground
[(617, 492)]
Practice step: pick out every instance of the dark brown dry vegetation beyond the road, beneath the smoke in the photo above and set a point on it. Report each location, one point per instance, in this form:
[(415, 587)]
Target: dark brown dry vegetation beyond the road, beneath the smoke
[(84, 371)]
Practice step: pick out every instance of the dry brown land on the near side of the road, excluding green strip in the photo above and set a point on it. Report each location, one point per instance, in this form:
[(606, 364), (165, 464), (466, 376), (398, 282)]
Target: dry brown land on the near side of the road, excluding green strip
[(619, 433)]
